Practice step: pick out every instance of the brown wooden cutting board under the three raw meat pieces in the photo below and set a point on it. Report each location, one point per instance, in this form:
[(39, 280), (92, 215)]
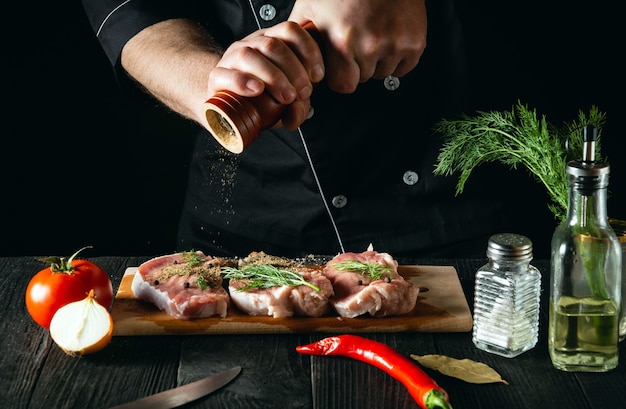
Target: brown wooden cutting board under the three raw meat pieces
[(441, 307)]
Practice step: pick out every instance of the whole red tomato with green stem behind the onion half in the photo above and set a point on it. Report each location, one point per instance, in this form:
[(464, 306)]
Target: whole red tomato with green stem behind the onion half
[(63, 282)]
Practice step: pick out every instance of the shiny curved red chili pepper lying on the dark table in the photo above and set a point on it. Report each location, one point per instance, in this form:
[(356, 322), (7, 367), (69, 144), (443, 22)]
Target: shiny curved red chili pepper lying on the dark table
[(422, 387)]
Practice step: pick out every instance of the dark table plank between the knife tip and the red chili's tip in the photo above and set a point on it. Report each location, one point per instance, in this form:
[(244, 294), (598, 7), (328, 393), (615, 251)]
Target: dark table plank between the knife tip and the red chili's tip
[(273, 374)]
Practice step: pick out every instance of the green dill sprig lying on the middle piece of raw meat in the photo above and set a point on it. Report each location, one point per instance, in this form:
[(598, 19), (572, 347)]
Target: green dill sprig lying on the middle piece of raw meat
[(265, 276)]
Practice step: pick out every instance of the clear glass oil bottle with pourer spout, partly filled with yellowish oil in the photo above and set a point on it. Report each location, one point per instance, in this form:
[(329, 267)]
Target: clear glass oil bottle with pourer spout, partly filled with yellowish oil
[(585, 293)]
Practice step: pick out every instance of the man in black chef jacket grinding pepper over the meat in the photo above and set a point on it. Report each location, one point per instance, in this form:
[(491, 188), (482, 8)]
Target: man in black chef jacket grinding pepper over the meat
[(353, 164)]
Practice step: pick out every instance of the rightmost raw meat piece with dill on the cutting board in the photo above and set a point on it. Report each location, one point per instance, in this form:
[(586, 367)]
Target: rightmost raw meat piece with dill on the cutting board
[(369, 282)]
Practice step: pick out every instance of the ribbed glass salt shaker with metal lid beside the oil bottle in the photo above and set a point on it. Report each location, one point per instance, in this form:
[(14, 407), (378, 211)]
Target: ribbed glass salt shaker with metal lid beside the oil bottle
[(506, 299)]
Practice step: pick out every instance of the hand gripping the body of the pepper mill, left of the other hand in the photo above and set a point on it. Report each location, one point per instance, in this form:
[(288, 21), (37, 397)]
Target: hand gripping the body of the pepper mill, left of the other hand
[(283, 60)]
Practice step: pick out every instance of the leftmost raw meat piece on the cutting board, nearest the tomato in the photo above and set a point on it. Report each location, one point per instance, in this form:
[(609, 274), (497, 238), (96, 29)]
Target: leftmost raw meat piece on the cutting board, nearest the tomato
[(185, 285)]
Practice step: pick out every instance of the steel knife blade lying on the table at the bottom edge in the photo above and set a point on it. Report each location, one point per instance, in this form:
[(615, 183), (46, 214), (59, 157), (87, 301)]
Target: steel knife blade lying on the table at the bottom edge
[(181, 395)]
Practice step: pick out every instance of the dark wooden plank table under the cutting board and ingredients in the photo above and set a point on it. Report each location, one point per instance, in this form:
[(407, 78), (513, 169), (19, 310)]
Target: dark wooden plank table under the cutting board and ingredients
[(35, 373)]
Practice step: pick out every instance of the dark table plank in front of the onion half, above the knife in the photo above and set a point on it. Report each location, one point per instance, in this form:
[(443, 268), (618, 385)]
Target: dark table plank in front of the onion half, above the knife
[(125, 370)]
